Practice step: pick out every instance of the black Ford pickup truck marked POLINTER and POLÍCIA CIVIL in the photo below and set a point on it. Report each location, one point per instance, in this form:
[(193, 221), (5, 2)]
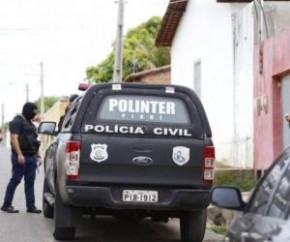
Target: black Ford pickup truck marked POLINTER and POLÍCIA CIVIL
[(131, 151)]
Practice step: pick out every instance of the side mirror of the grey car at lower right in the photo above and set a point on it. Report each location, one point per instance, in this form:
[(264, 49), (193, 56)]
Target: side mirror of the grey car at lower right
[(227, 197)]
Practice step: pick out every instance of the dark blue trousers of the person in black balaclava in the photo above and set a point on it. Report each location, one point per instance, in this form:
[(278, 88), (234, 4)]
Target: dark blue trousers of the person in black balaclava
[(27, 170)]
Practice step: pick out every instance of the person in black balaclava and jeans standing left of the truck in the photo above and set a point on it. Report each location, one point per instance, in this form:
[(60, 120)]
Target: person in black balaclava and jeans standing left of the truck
[(24, 157)]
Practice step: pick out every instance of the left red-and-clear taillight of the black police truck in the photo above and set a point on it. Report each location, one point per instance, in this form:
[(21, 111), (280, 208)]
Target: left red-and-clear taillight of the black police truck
[(72, 161)]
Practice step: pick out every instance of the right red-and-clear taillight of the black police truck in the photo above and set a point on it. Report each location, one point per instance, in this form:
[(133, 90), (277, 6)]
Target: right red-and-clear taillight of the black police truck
[(208, 164)]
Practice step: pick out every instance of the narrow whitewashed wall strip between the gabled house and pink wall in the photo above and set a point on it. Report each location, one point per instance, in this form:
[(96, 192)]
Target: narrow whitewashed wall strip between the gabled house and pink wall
[(243, 79)]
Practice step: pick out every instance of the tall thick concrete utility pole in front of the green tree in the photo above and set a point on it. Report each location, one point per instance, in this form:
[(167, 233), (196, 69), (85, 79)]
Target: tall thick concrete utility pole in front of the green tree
[(119, 44)]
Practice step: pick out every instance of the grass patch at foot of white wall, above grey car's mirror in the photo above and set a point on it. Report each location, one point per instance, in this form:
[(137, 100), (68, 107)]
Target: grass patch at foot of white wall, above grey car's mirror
[(245, 180)]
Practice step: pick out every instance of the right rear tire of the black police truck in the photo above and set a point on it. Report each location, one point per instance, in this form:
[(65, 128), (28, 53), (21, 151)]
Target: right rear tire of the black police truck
[(192, 225)]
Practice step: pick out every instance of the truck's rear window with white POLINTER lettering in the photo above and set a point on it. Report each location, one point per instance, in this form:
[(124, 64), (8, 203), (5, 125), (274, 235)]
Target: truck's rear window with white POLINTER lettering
[(140, 109)]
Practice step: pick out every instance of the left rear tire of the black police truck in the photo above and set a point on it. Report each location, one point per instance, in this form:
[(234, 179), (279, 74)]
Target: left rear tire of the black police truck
[(63, 228)]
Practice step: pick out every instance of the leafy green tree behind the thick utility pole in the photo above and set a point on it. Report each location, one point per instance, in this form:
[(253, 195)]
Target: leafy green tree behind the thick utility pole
[(139, 53)]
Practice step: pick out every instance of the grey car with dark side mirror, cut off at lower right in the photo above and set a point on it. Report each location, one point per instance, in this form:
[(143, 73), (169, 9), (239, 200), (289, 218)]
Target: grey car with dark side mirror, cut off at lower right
[(265, 216)]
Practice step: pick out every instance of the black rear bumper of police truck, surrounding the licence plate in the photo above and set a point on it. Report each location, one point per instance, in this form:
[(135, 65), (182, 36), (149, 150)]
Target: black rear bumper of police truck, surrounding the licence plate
[(104, 197)]
